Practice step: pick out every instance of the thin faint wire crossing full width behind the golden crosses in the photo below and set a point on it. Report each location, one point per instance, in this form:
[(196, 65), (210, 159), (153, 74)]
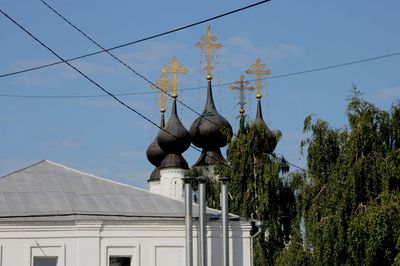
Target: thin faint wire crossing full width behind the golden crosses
[(359, 61)]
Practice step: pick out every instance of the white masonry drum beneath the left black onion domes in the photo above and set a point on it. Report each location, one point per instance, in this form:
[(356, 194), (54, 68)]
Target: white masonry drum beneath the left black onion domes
[(170, 183)]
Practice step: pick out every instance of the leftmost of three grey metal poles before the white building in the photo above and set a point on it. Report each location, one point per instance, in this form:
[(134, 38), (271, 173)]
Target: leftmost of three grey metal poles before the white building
[(188, 221)]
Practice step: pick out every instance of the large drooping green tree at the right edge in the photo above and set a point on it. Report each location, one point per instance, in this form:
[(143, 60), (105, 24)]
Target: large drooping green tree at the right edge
[(349, 199)]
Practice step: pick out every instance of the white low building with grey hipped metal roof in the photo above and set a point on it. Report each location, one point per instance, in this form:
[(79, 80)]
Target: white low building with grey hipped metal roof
[(51, 215)]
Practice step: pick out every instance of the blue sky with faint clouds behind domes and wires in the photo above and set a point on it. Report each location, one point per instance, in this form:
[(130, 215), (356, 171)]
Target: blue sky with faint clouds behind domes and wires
[(99, 136)]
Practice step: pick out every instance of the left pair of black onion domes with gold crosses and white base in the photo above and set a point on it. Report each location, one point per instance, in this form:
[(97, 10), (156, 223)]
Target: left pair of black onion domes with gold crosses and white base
[(172, 140)]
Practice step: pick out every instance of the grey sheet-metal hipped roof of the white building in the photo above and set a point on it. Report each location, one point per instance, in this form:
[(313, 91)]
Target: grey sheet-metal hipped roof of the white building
[(48, 189)]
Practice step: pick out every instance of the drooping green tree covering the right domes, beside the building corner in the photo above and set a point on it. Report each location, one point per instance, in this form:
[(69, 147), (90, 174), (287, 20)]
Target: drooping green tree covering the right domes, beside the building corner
[(258, 189)]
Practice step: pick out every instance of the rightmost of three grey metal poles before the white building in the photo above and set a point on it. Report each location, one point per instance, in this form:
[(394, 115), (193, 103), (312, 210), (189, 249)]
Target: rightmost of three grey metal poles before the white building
[(225, 221)]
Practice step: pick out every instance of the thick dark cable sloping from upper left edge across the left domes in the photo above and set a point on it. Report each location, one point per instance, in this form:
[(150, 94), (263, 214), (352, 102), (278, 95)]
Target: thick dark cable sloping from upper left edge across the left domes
[(97, 84)]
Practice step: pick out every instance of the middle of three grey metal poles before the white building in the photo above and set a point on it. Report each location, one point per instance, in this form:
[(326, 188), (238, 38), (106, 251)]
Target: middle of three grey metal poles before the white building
[(202, 218)]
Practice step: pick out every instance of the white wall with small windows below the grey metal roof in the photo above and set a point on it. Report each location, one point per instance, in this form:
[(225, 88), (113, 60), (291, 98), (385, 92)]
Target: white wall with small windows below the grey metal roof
[(91, 243)]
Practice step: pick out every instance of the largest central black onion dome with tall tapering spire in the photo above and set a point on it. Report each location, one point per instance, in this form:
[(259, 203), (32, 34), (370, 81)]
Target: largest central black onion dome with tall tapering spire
[(210, 130)]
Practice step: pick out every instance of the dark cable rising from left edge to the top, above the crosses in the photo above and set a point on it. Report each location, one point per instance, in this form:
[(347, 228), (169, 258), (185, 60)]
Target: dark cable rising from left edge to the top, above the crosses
[(137, 41)]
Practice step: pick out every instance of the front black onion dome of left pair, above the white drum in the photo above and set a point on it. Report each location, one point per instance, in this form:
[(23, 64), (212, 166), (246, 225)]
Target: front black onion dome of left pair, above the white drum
[(174, 140)]
